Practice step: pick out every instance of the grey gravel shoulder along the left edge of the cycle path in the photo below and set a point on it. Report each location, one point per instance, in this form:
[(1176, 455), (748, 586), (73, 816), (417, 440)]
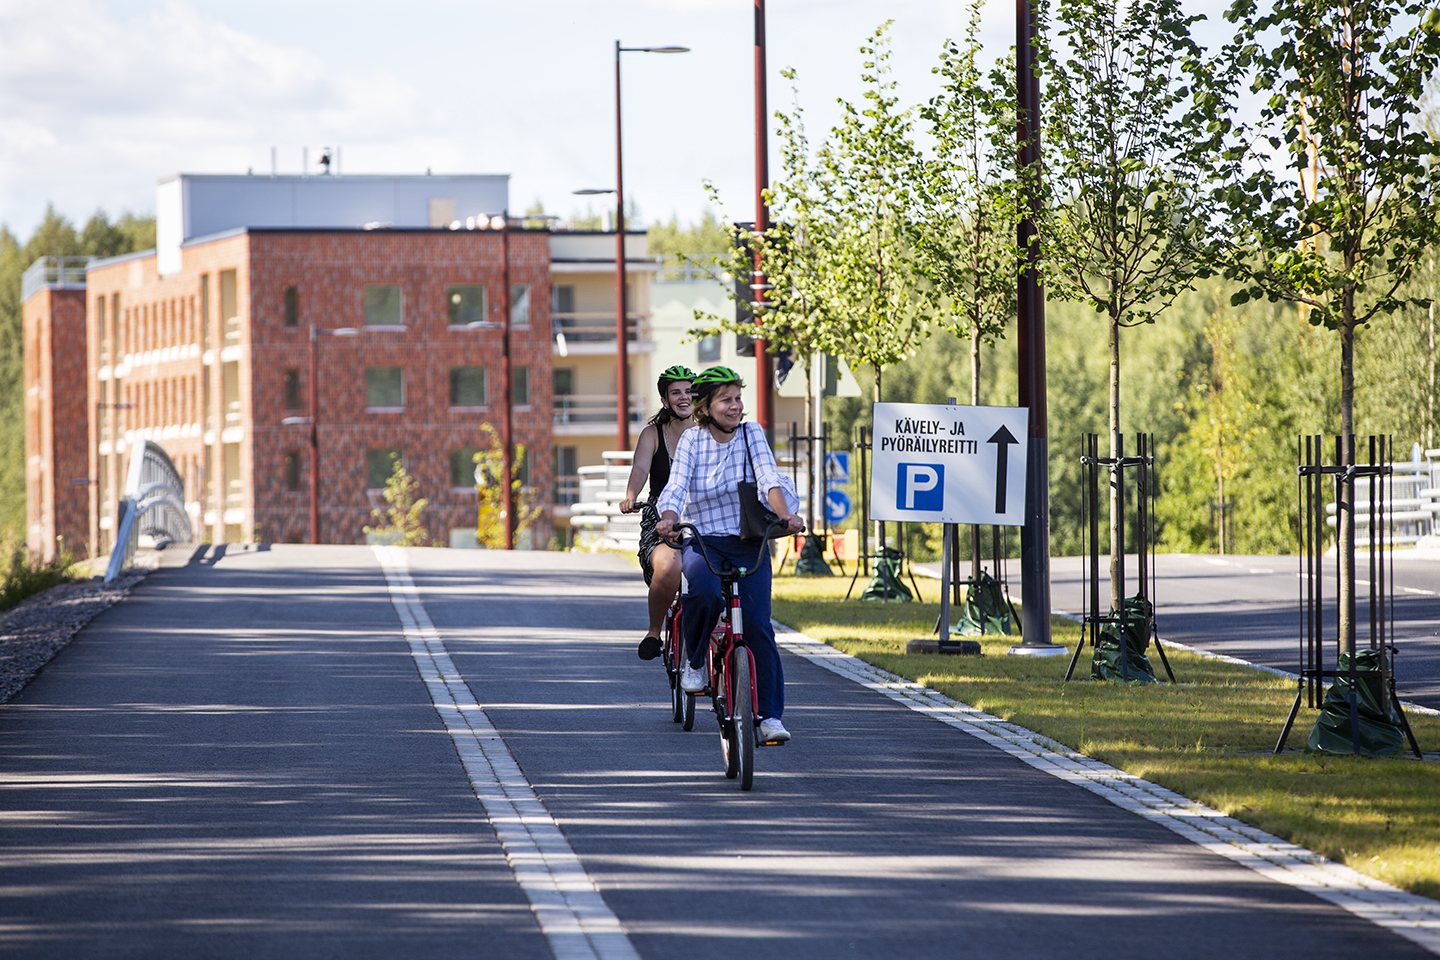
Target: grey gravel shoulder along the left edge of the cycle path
[(37, 630)]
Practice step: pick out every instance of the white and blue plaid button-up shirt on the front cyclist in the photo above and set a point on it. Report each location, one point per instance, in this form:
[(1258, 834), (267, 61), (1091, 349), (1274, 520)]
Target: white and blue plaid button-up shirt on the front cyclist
[(705, 476)]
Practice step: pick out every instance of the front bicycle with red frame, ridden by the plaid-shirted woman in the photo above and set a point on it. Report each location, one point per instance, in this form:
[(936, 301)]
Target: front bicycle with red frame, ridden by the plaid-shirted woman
[(732, 669)]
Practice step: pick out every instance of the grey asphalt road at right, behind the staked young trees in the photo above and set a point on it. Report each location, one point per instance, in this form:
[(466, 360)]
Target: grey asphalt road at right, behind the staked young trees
[(1249, 608)]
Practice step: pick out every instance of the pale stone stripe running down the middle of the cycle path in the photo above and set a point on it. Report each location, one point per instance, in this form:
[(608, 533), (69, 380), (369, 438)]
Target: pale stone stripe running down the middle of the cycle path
[(571, 912)]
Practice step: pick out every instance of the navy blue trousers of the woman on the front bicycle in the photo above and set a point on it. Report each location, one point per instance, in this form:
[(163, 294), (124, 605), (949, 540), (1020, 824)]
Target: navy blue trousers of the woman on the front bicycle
[(703, 605)]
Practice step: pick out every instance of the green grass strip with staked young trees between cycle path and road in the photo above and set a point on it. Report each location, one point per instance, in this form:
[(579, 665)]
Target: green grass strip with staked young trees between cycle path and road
[(1209, 738)]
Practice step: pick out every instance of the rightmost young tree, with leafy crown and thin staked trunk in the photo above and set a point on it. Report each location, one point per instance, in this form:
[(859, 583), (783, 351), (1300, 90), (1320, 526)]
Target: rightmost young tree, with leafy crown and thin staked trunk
[(1341, 227)]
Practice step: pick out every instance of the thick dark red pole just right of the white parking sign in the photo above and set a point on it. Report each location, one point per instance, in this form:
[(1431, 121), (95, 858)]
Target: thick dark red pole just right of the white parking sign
[(1030, 342)]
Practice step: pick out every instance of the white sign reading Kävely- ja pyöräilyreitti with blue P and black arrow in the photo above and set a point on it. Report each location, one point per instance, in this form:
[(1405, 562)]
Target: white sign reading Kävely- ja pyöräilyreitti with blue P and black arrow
[(934, 463)]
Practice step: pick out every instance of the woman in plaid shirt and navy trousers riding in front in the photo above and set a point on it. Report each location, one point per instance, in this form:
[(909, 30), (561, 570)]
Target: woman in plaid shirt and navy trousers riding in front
[(705, 484)]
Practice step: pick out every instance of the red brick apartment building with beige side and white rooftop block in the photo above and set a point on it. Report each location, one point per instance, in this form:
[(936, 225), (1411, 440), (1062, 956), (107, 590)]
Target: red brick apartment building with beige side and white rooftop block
[(204, 348)]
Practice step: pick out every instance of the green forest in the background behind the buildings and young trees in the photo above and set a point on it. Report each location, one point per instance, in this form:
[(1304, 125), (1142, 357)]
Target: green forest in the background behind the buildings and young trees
[(1215, 385)]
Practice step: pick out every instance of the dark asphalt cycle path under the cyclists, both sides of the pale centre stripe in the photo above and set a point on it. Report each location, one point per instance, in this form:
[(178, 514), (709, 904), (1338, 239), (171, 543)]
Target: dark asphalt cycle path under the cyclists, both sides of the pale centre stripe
[(243, 762)]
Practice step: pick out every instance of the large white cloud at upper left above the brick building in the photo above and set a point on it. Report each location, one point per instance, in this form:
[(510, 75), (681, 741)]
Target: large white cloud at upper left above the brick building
[(99, 106)]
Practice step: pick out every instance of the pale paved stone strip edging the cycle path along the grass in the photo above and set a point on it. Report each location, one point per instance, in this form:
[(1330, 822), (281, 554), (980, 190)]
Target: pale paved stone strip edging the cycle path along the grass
[(1413, 918)]
